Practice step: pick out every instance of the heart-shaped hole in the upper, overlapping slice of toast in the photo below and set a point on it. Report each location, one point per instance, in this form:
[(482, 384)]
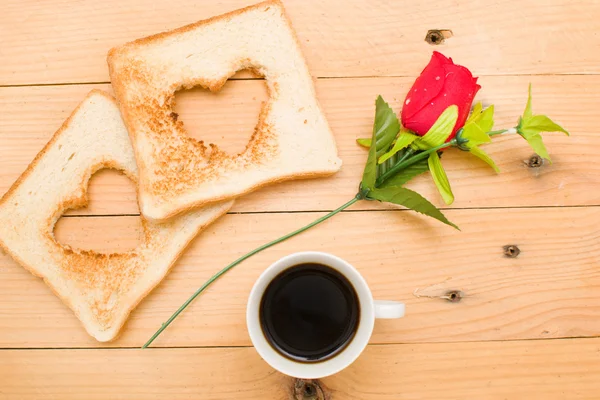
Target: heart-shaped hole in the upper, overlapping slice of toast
[(225, 118)]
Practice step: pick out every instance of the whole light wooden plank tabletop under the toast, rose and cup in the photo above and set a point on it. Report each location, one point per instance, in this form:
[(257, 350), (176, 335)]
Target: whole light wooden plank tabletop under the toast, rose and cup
[(528, 327)]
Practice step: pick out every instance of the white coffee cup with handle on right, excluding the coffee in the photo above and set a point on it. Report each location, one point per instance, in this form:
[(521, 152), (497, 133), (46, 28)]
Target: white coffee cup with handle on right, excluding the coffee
[(369, 310)]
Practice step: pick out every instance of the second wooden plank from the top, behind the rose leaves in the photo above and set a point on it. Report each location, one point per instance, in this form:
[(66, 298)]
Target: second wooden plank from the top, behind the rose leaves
[(32, 114)]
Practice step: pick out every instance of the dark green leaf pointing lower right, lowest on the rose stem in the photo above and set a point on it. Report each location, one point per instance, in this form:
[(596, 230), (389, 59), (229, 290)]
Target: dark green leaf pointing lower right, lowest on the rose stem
[(409, 199)]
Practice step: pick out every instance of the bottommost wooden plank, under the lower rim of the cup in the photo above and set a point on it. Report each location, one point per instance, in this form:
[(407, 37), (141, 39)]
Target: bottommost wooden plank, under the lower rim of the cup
[(548, 369)]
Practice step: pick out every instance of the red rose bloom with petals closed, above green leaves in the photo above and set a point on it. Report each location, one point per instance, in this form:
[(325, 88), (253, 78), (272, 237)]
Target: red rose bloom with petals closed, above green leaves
[(441, 84)]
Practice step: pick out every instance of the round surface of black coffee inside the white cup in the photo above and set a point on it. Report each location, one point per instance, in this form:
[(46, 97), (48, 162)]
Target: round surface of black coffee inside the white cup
[(309, 312)]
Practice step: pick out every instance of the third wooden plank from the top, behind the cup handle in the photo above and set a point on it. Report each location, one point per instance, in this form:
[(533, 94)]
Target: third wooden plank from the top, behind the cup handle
[(551, 290)]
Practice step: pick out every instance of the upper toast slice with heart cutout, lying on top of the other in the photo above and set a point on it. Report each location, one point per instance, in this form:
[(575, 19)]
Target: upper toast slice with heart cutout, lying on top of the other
[(291, 140)]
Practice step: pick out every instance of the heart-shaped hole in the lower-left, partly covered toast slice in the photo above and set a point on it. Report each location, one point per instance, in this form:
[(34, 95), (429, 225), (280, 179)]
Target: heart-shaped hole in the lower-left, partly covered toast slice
[(110, 223)]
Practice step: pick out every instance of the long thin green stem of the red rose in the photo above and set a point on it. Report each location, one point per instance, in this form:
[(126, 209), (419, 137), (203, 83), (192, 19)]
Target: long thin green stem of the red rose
[(404, 162)]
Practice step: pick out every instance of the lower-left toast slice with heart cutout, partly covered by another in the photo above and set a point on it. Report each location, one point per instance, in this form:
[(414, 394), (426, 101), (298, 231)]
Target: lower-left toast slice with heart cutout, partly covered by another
[(101, 289)]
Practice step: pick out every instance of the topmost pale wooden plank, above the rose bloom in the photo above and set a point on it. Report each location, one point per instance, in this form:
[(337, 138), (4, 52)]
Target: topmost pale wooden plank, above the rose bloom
[(58, 41)]
